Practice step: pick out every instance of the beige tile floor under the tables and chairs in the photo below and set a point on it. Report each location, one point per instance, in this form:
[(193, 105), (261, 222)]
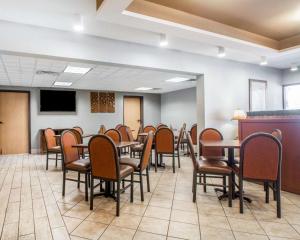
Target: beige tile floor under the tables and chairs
[(31, 207)]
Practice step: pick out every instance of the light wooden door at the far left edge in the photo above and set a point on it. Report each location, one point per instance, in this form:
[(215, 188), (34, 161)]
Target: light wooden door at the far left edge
[(14, 122)]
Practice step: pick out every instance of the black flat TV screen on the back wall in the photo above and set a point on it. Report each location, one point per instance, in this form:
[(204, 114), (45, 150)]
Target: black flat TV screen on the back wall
[(57, 101)]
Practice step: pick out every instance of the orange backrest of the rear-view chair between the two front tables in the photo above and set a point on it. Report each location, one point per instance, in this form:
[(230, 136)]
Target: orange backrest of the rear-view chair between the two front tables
[(164, 141)]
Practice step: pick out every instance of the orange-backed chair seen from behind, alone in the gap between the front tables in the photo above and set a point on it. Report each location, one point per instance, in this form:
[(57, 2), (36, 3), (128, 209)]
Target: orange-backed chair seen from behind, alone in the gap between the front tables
[(164, 145)]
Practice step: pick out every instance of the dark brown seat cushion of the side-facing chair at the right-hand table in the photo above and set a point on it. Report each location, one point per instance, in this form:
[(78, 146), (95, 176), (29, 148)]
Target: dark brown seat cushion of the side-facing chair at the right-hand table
[(212, 166)]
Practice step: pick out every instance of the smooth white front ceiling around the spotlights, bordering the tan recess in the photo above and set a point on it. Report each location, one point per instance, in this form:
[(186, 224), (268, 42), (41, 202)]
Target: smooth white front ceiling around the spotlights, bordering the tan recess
[(112, 22)]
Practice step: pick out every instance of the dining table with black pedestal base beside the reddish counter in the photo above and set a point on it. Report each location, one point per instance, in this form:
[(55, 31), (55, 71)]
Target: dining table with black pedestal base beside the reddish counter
[(230, 145)]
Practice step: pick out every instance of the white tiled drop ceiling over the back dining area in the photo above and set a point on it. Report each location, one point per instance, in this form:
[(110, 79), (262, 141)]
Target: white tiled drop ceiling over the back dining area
[(21, 71)]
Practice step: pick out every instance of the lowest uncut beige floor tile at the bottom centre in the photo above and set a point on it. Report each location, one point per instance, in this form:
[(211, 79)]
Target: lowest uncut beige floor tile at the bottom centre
[(154, 225)]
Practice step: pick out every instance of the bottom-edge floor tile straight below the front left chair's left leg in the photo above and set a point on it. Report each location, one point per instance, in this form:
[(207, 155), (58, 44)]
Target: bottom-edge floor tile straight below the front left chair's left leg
[(90, 230)]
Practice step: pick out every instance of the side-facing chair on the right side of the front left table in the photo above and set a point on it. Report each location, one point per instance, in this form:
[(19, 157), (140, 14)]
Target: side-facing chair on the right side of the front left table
[(140, 165)]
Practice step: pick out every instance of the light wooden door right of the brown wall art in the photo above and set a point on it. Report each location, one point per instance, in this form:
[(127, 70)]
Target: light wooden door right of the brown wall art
[(133, 113)]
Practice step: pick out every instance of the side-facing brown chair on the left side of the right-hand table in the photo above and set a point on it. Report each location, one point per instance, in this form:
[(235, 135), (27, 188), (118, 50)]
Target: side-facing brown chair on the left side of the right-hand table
[(211, 167)]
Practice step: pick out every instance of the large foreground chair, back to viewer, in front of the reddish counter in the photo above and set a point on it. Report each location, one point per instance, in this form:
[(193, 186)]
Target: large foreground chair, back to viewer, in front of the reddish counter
[(260, 160)]
